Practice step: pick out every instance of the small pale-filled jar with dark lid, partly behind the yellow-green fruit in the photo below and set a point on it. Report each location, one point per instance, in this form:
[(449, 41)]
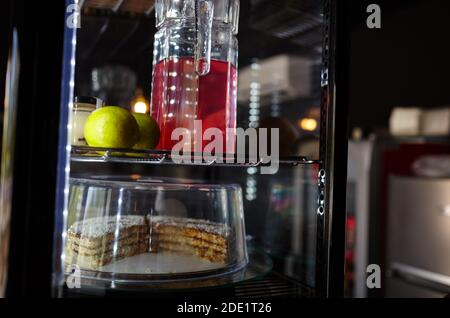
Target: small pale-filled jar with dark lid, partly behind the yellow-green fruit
[(82, 108)]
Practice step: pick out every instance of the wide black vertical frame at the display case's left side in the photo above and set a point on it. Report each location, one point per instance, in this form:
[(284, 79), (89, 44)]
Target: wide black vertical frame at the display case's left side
[(35, 158)]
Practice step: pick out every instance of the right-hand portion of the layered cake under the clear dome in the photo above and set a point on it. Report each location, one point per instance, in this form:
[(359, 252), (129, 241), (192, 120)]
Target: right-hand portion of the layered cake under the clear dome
[(208, 240)]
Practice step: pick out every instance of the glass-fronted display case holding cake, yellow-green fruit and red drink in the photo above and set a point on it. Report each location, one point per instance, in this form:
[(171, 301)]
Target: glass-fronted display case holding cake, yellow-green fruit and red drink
[(190, 146)]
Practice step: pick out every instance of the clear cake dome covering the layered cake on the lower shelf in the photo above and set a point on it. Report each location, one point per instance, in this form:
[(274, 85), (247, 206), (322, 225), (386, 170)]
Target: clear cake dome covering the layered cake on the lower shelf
[(141, 231)]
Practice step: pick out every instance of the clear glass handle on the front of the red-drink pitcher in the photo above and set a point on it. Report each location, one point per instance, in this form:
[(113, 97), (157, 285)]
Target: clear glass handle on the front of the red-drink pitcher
[(204, 15)]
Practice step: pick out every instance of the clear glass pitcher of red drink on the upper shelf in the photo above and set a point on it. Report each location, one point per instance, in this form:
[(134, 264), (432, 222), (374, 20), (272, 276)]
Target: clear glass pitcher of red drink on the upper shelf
[(195, 71)]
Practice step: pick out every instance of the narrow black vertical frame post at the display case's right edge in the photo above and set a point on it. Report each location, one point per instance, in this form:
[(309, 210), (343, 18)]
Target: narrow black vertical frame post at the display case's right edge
[(332, 181)]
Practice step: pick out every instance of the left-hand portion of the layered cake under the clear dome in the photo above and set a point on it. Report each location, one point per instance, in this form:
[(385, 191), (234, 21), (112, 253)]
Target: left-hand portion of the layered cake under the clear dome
[(95, 242)]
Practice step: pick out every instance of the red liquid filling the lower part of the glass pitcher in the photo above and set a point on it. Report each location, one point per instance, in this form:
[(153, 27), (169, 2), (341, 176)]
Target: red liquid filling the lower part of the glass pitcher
[(180, 96)]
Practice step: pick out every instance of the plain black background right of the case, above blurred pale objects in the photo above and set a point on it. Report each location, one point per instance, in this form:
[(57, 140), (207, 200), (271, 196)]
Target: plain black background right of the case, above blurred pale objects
[(405, 63)]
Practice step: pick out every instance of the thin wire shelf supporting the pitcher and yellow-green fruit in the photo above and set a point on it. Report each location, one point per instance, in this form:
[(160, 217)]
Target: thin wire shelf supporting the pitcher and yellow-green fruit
[(107, 155)]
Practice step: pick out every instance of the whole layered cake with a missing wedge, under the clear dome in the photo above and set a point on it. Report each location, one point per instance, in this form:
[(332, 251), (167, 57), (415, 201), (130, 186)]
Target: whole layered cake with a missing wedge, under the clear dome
[(96, 242)]
